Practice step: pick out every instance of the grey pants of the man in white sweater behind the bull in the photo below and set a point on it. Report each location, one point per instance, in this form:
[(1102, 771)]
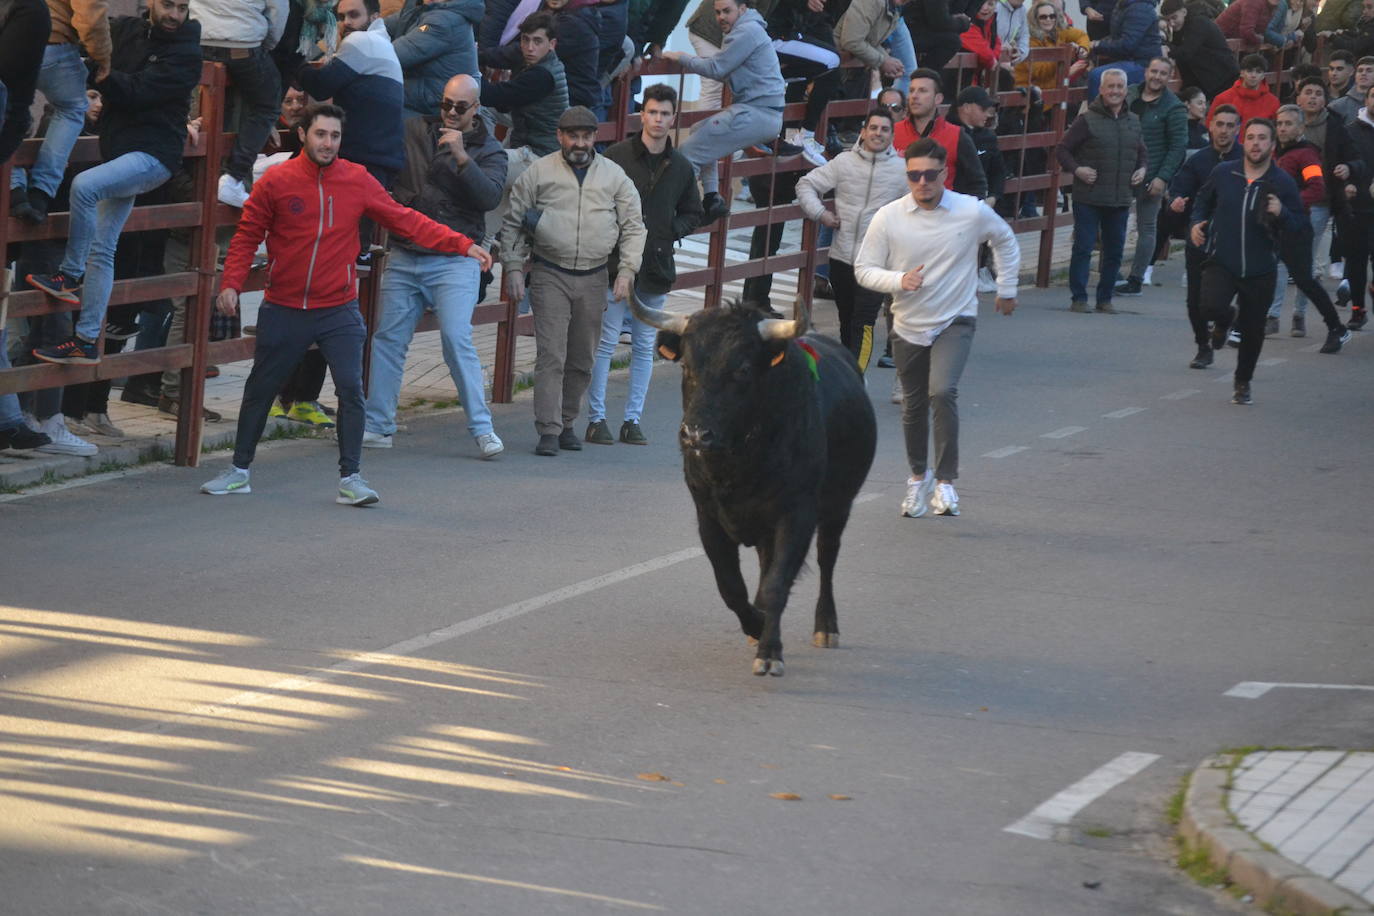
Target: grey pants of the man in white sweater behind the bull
[(931, 387)]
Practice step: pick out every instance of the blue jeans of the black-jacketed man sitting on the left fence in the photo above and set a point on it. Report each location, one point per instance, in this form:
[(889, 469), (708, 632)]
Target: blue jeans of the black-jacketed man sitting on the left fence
[(102, 200)]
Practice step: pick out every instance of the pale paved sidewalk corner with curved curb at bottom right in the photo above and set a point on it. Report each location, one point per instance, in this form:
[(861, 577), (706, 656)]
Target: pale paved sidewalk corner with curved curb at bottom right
[(1295, 829)]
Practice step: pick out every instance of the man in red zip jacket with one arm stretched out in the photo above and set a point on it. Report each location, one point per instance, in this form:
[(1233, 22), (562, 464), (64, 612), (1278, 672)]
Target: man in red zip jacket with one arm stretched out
[(308, 209)]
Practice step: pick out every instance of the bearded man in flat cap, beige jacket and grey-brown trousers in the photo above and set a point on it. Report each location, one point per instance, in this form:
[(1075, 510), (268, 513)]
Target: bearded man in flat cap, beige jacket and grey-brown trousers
[(571, 212)]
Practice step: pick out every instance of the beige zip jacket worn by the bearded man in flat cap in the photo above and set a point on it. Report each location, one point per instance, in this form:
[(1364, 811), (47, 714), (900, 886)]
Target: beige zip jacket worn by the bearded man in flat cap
[(574, 226)]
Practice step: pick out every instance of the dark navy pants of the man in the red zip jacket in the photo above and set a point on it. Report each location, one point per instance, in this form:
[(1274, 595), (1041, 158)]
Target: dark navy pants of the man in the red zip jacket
[(282, 340)]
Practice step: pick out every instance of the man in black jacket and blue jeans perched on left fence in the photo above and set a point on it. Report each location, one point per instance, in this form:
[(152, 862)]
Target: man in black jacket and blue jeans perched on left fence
[(148, 95)]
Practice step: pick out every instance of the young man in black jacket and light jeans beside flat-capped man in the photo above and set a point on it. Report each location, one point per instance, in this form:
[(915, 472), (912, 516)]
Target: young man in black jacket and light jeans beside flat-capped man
[(667, 186)]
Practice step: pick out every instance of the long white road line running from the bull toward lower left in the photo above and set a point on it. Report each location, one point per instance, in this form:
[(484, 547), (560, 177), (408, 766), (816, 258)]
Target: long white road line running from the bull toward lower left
[(381, 657)]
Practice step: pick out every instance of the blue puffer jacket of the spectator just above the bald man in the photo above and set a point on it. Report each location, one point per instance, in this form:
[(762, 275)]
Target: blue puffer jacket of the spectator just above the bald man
[(433, 42)]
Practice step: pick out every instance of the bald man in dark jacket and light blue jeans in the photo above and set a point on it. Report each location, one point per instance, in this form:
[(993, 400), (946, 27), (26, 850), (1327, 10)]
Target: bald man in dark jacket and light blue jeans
[(454, 174)]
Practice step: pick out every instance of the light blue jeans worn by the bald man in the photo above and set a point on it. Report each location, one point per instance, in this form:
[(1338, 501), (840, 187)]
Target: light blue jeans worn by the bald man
[(412, 285)]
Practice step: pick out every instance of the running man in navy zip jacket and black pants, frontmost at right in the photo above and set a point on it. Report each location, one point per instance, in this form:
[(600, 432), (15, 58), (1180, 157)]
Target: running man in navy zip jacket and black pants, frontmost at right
[(1239, 218)]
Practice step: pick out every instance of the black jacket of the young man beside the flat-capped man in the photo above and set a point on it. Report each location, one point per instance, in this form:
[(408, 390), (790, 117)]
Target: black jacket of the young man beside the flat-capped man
[(670, 201)]
